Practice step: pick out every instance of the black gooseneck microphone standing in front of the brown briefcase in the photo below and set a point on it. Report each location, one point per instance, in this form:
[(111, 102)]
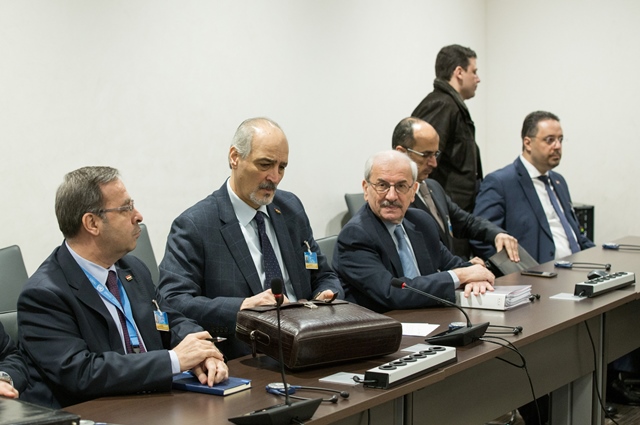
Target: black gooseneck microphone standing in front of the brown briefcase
[(280, 414)]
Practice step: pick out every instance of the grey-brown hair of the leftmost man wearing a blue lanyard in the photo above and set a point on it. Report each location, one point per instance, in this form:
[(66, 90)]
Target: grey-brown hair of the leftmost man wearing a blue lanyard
[(80, 193)]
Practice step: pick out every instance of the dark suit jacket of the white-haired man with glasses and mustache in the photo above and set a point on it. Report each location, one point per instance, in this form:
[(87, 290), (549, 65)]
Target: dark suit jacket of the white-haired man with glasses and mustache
[(366, 260)]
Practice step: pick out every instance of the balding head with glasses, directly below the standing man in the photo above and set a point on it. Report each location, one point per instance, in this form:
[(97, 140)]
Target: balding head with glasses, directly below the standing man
[(419, 140)]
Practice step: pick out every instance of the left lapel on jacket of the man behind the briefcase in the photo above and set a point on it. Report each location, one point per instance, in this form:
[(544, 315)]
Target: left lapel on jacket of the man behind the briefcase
[(233, 237)]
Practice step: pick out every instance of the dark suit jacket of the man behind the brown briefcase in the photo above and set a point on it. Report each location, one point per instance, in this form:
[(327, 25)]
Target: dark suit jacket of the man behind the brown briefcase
[(207, 270)]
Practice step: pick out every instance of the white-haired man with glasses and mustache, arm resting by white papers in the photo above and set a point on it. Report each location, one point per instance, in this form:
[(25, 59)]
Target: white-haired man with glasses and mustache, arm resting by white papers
[(386, 239)]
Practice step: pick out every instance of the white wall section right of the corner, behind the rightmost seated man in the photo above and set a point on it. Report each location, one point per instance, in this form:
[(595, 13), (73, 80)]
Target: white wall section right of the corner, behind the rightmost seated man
[(579, 60)]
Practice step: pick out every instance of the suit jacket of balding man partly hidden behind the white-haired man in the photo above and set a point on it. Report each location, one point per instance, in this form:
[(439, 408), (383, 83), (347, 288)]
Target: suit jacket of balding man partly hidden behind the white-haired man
[(463, 224)]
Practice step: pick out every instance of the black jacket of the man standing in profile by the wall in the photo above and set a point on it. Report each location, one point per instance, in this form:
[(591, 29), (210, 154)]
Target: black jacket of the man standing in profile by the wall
[(459, 166)]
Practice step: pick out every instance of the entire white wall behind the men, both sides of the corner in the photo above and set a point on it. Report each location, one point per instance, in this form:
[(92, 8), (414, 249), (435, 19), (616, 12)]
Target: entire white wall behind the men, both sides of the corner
[(157, 88)]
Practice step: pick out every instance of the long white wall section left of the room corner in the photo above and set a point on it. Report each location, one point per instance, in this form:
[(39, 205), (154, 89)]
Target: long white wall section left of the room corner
[(157, 89)]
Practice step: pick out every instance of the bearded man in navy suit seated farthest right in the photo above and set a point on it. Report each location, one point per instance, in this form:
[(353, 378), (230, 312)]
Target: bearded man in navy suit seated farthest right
[(529, 200)]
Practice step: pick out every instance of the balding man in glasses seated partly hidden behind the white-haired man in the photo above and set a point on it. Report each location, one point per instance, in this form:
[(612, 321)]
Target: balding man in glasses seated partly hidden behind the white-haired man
[(419, 140)]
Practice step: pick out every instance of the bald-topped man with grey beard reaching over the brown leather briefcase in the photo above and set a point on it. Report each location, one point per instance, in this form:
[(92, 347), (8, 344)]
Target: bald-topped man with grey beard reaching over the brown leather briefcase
[(223, 252)]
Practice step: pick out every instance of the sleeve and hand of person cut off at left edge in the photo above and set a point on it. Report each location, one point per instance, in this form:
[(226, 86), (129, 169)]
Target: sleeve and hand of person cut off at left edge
[(13, 371)]
